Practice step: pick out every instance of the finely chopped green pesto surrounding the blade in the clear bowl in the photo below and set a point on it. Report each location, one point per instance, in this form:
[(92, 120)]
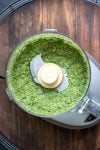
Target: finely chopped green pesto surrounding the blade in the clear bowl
[(53, 48)]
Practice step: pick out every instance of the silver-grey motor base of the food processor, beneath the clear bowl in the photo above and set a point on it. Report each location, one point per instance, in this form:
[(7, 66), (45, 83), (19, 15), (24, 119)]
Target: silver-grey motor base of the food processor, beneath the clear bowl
[(74, 120)]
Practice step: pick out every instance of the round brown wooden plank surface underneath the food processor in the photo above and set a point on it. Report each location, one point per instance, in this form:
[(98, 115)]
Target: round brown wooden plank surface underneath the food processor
[(77, 19)]
